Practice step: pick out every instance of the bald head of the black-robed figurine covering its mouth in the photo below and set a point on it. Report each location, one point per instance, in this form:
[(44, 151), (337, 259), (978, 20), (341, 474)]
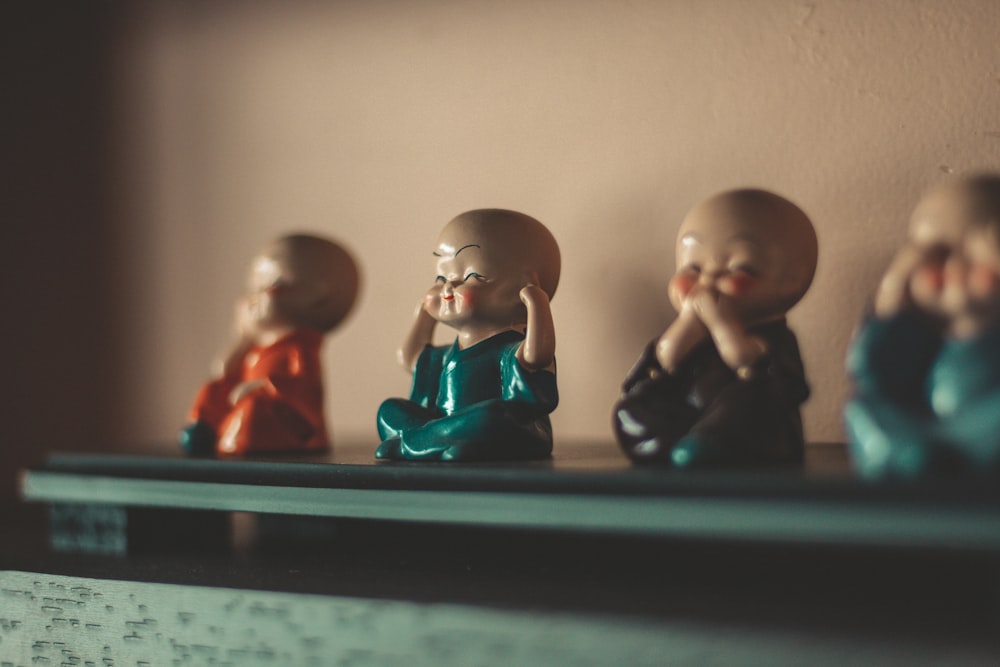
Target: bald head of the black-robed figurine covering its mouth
[(753, 246)]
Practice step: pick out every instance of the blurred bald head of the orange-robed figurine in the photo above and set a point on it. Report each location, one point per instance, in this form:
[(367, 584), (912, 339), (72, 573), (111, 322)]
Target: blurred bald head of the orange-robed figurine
[(302, 281)]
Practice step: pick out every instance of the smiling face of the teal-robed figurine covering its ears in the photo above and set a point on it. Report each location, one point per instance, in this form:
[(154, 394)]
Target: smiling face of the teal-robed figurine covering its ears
[(478, 279)]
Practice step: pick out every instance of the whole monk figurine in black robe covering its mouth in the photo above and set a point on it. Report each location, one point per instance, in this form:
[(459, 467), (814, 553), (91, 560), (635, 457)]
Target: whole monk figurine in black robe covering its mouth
[(722, 386)]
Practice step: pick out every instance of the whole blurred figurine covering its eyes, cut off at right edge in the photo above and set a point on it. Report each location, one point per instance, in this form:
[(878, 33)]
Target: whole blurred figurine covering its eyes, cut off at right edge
[(926, 364)]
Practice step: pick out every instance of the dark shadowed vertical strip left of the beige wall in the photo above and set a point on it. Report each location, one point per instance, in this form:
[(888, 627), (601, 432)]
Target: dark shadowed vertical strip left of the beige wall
[(57, 215)]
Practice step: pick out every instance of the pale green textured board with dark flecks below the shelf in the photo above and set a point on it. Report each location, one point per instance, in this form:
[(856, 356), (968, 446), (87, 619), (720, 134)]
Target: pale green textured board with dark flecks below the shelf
[(54, 620)]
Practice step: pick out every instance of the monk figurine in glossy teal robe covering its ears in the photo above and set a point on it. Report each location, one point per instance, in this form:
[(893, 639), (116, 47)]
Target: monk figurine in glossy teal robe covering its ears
[(488, 395)]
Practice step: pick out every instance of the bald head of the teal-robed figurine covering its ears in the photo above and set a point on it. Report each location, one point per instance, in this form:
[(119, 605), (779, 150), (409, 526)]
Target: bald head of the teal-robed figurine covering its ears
[(484, 258)]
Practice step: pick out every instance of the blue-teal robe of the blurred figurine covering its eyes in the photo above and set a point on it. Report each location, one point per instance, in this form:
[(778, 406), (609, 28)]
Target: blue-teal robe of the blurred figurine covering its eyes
[(924, 405)]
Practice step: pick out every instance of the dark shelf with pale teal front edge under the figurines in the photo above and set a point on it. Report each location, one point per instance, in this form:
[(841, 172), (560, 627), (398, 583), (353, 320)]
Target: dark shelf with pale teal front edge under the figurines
[(587, 488)]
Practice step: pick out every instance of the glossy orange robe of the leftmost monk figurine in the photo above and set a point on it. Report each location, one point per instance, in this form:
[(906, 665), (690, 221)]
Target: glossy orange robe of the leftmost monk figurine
[(284, 415)]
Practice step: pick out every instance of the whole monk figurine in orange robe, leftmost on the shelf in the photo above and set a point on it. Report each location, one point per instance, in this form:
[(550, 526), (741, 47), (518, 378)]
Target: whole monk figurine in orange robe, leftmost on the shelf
[(268, 394)]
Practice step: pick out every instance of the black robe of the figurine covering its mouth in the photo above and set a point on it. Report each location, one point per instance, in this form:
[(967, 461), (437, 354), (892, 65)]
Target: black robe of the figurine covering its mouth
[(705, 409)]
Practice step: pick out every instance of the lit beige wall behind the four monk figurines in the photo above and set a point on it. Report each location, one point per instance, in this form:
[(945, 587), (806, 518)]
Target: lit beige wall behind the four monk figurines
[(375, 122)]
